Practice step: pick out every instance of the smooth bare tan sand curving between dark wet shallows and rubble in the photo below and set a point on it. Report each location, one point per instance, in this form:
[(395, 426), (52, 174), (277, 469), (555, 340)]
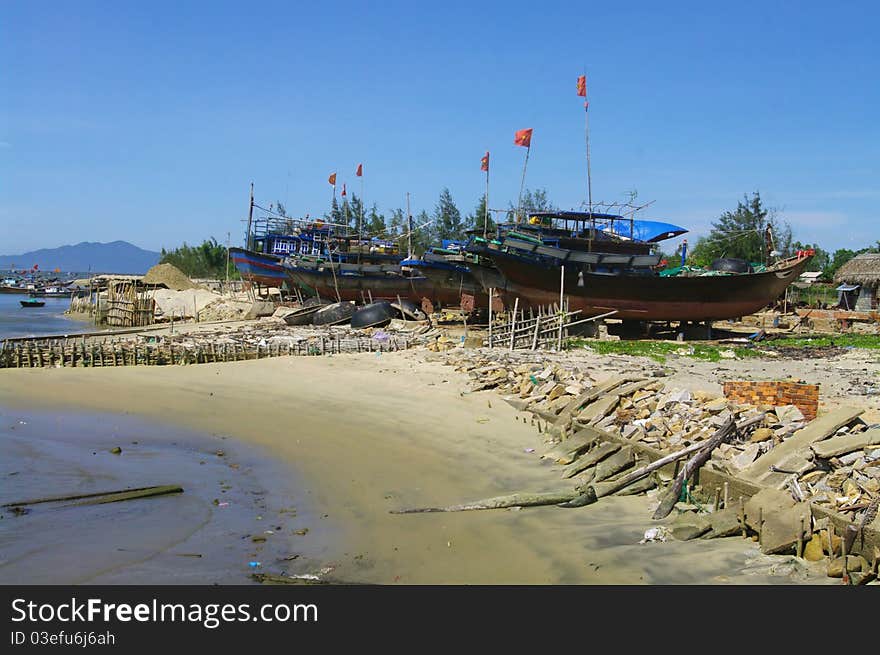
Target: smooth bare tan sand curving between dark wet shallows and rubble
[(364, 434)]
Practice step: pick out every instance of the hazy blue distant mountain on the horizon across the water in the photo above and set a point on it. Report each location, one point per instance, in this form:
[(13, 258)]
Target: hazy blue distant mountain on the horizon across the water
[(114, 257)]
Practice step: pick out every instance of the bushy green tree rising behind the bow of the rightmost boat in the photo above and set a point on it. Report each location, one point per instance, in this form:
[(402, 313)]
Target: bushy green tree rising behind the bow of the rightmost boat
[(741, 234)]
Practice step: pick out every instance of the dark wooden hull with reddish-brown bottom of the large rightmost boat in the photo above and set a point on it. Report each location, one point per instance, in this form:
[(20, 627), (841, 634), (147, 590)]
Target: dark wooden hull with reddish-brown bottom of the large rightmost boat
[(648, 297)]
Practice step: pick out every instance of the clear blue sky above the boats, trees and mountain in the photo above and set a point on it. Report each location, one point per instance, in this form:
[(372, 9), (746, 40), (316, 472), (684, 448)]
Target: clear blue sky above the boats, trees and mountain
[(147, 121)]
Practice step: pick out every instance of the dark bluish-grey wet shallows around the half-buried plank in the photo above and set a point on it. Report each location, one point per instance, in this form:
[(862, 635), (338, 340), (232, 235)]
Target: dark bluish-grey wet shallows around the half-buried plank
[(208, 534)]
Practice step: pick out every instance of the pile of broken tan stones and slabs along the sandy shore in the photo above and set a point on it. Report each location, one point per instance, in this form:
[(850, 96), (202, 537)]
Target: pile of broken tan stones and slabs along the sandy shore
[(836, 464)]
